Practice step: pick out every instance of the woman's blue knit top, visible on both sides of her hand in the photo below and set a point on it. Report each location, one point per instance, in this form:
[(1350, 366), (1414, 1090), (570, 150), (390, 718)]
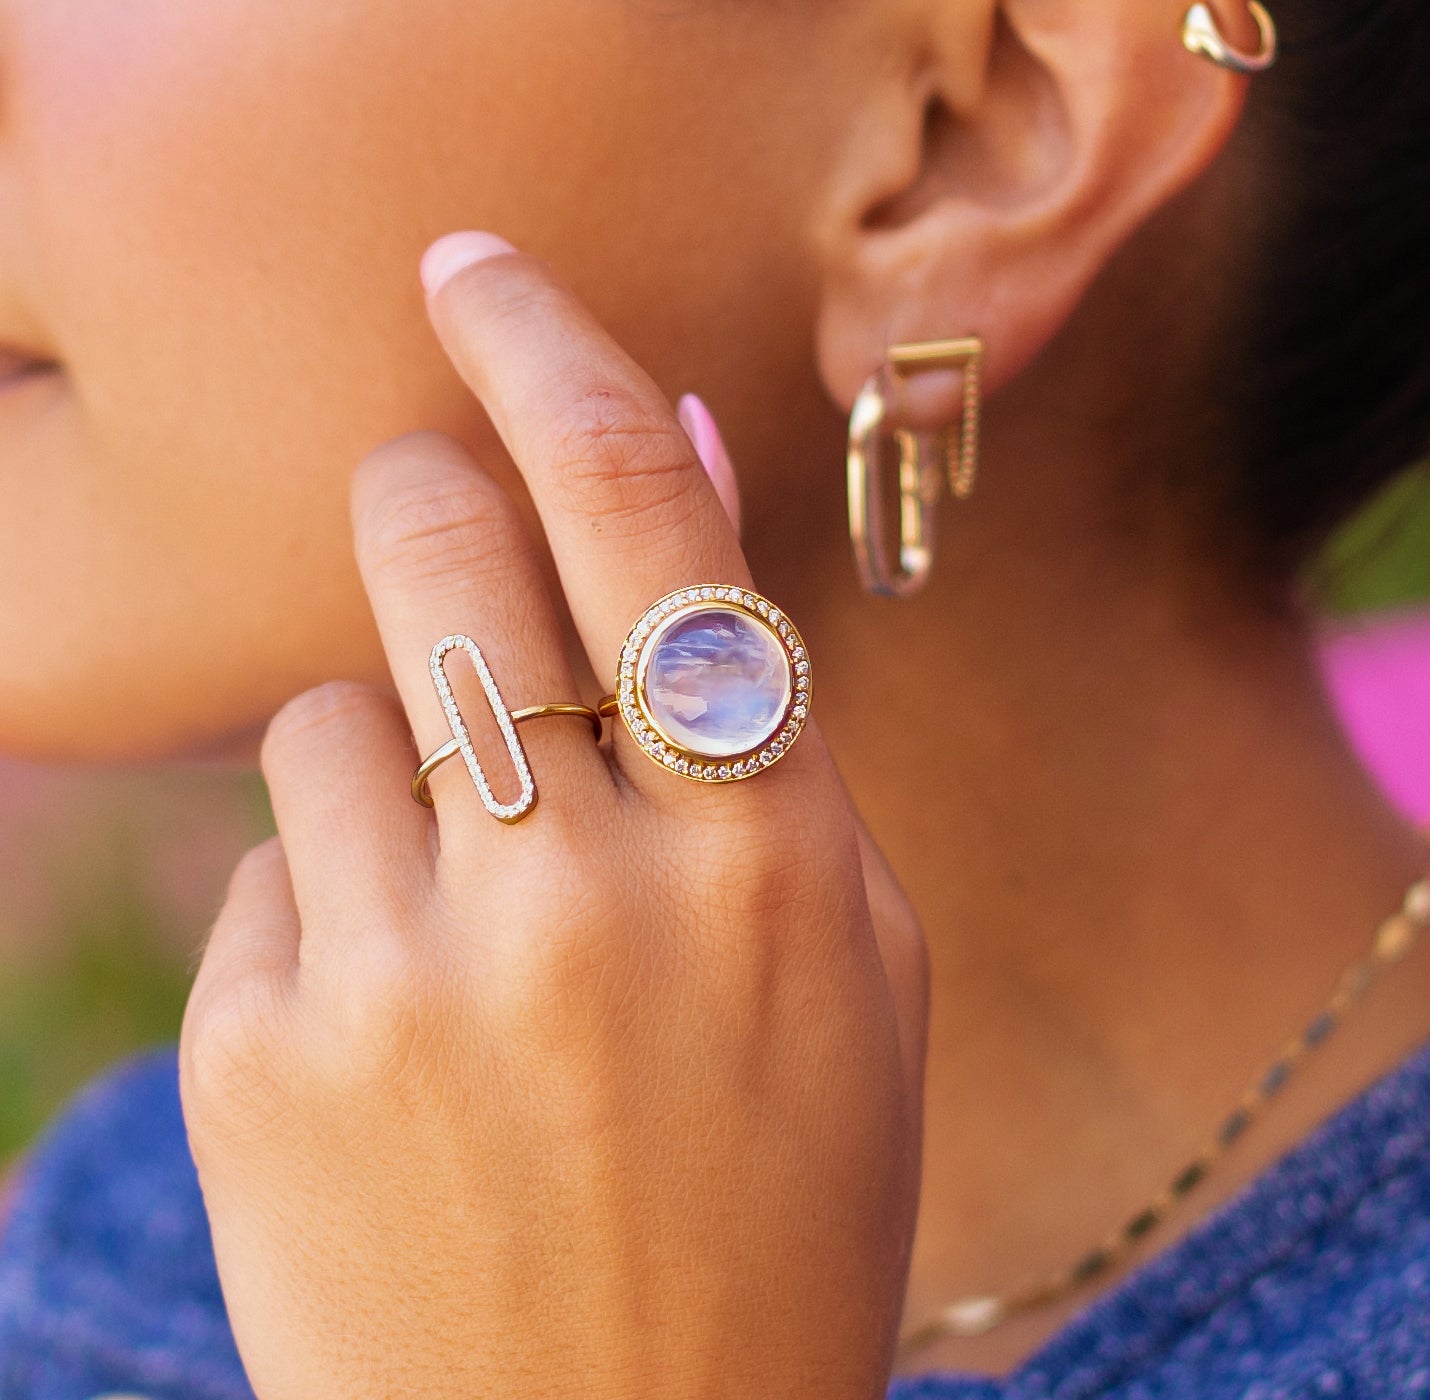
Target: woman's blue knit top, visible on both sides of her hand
[(1312, 1282)]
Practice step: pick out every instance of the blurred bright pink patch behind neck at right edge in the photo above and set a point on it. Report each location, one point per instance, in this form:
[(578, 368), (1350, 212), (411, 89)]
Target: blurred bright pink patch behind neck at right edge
[(1379, 676)]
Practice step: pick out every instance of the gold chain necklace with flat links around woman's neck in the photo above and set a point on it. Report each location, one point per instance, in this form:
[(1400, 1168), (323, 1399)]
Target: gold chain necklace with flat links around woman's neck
[(975, 1316)]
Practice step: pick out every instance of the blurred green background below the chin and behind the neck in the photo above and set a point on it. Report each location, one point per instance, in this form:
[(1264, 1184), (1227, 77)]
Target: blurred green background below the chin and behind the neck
[(131, 869)]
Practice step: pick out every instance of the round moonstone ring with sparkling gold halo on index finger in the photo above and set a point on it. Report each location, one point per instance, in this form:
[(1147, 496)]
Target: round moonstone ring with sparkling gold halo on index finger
[(714, 684)]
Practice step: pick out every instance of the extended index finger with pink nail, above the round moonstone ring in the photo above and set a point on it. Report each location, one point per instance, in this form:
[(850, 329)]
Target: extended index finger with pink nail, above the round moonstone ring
[(628, 508)]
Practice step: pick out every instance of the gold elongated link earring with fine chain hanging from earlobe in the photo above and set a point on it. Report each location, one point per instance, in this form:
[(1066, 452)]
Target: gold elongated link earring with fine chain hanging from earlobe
[(920, 481)]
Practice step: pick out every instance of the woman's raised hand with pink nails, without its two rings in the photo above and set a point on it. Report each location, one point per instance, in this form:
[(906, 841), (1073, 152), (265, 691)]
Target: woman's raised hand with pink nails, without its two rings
[(618, 1102)]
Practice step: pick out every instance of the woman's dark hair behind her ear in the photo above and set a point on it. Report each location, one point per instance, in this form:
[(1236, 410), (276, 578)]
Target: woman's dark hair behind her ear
[(1333, 385)]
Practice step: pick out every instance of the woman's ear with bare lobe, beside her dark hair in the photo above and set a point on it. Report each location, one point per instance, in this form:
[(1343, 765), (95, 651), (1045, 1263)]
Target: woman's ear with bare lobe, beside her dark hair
[(992, 178)]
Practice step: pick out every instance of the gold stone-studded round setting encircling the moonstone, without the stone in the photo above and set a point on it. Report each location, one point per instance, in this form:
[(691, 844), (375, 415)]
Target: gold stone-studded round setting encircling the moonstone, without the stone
[(641, 723)]
